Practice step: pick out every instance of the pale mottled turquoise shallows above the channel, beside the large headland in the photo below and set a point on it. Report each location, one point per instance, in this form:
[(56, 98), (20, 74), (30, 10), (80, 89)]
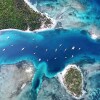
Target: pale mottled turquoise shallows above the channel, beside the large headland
[(72, 13)]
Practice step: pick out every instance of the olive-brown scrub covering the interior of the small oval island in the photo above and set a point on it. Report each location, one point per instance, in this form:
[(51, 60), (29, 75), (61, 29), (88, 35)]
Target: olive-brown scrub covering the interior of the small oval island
[(73, 81)]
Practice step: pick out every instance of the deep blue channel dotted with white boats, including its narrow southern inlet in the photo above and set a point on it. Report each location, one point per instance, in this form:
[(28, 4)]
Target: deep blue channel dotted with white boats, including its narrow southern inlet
[(50, 51)]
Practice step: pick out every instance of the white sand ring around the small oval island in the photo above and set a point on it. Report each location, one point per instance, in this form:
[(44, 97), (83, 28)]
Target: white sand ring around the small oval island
[(60, 77)]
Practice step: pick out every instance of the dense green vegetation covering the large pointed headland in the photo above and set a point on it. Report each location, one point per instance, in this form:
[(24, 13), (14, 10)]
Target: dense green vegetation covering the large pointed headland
[(17, 14)]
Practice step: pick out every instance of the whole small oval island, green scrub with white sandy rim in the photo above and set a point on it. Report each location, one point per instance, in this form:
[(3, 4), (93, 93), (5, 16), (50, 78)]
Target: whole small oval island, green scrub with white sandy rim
[(71, 78)]
